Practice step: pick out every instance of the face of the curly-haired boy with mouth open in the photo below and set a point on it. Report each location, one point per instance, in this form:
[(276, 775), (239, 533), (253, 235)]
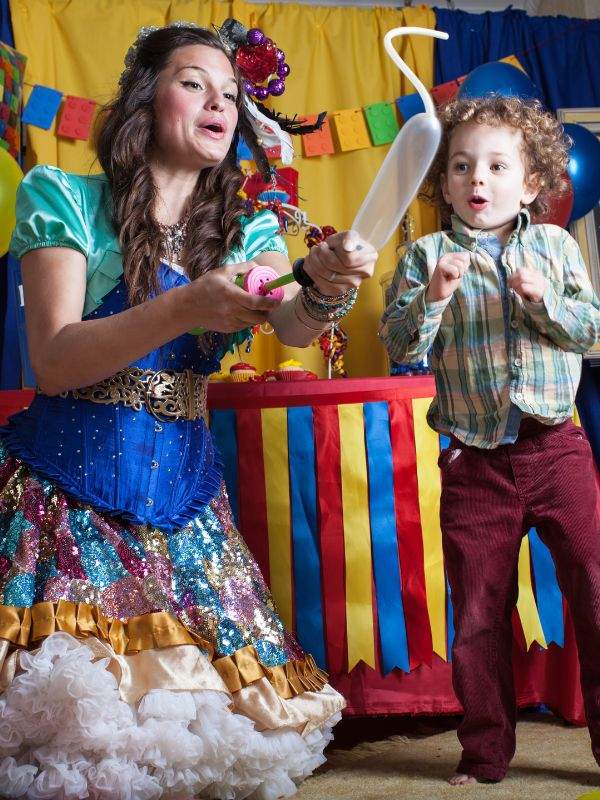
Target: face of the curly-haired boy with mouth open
[(486, 183)]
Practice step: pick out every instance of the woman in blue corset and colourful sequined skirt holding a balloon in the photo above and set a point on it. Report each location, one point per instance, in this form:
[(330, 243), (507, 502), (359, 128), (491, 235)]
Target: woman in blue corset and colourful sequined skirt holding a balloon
[(142, 653)]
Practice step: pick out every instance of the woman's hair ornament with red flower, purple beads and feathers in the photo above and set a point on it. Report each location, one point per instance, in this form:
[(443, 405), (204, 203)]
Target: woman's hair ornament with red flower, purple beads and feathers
[(264, 70)]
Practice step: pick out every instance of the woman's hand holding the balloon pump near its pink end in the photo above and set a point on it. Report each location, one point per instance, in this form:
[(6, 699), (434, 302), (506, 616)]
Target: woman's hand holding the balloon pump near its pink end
[(225, 307)]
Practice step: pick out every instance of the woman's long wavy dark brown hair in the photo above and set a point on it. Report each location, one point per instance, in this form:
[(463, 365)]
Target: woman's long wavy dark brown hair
[(124, 143)]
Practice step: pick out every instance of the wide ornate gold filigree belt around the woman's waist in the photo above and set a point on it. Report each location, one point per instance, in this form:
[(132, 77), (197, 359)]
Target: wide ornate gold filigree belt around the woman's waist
[(166, 394)]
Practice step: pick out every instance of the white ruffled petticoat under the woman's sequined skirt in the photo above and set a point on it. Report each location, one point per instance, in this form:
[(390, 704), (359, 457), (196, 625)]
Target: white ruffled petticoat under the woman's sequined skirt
[(65, 734)]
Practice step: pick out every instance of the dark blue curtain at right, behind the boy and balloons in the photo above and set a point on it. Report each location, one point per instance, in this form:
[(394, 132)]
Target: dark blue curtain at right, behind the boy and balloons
[(560, 55)]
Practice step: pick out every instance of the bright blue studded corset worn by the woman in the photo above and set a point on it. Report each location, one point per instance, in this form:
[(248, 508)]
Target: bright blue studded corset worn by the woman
[(120, 460)]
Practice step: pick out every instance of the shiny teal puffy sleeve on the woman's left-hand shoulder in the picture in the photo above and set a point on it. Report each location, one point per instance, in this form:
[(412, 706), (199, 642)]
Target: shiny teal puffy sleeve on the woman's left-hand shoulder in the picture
[(49, 214)]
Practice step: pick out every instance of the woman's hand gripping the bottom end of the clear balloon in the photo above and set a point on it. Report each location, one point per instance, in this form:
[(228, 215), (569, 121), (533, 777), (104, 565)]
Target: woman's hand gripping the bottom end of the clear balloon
[(340, 263)]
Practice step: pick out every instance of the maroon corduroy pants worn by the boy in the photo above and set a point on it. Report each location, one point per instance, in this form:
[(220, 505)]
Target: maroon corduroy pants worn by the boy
[(490, 499)]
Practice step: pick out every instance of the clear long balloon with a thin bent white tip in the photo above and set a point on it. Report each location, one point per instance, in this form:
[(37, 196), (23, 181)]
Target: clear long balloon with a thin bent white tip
[(407, 161)]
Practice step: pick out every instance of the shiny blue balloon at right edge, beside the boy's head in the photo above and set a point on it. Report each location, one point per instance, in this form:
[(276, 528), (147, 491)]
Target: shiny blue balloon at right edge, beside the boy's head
[(583, 169)]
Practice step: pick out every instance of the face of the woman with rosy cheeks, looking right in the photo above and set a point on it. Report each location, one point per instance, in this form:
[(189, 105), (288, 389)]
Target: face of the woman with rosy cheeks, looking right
[(195, 108)]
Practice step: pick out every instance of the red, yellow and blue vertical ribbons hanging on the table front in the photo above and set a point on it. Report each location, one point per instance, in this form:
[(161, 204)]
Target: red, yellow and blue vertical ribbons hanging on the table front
[(339, 504)]
